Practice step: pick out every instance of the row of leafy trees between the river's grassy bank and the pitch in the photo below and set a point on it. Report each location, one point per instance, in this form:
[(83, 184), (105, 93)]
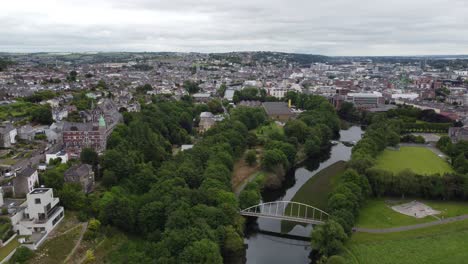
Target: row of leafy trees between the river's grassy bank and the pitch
[(348, 196)]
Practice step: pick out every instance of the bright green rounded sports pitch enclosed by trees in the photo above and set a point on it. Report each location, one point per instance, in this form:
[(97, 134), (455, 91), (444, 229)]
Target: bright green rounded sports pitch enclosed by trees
[(418, 159)]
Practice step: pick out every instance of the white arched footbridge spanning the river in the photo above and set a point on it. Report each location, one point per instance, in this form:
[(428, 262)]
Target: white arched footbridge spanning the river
[(287, 210)]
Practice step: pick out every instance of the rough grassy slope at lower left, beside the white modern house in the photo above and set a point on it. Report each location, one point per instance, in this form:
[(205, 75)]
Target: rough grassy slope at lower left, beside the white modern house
[(56, 250)]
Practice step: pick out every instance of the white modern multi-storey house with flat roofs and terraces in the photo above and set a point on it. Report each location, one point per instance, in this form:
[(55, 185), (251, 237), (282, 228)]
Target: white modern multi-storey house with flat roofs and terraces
[(37, 216)]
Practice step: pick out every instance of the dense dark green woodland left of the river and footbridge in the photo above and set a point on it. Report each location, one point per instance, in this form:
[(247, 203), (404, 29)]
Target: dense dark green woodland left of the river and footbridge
[(181, 206)]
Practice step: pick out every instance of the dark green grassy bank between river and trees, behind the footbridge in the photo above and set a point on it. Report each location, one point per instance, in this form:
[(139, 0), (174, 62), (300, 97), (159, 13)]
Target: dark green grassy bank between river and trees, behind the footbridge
[(316, 190)]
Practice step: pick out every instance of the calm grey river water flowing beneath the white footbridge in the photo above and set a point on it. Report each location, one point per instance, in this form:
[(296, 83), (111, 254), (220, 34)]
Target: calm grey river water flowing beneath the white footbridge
[(270, 248)]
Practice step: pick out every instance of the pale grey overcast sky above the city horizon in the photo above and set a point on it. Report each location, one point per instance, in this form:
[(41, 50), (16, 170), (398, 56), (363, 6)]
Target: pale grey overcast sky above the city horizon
[(328, 27)]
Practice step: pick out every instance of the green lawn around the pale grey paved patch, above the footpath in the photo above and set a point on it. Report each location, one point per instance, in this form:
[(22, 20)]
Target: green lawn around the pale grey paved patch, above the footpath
[(376, 213)]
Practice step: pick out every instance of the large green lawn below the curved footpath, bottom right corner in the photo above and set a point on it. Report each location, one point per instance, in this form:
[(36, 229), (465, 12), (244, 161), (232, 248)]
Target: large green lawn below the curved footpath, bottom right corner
[(441, 244)]
